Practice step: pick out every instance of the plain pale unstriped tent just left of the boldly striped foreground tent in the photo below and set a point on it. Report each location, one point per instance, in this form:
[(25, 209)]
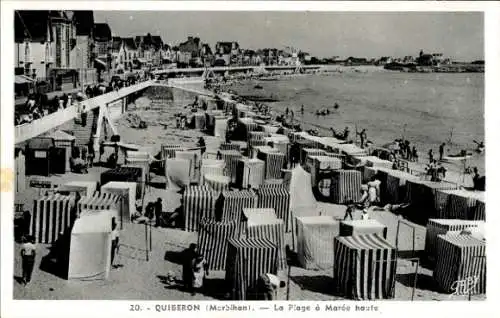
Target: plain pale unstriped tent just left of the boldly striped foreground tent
[(315, 235)]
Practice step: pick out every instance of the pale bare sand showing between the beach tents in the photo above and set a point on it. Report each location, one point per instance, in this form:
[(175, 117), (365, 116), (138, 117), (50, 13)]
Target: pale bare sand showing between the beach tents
[(140, 279)]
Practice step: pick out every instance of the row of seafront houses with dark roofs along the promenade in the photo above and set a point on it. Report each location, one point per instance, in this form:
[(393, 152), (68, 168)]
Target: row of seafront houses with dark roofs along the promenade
[(48, 43)]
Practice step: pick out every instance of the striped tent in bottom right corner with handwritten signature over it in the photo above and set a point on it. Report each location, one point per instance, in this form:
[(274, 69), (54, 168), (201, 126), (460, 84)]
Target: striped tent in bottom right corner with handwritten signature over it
[(460, 257)]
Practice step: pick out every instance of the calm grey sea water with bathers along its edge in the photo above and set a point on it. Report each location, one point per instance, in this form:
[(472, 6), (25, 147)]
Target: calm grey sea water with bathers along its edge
[(425, 108)]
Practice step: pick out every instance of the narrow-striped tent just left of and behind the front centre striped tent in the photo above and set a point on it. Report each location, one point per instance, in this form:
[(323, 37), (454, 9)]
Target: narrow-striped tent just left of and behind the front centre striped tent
[(213, 241)]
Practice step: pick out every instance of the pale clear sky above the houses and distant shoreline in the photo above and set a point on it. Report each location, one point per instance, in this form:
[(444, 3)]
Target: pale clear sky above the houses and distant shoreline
[(459, 35)]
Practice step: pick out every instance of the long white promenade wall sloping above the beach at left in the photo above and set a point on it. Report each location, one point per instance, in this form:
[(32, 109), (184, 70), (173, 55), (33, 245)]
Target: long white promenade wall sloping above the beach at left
[(37, 127)]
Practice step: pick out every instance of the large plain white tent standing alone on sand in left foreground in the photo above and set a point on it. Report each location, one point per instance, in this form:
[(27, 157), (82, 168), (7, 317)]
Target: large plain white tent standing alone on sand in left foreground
[(90, 249)]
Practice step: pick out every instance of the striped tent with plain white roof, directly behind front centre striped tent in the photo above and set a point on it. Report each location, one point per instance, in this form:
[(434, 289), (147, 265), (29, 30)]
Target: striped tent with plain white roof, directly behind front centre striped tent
[(263, 223)]
